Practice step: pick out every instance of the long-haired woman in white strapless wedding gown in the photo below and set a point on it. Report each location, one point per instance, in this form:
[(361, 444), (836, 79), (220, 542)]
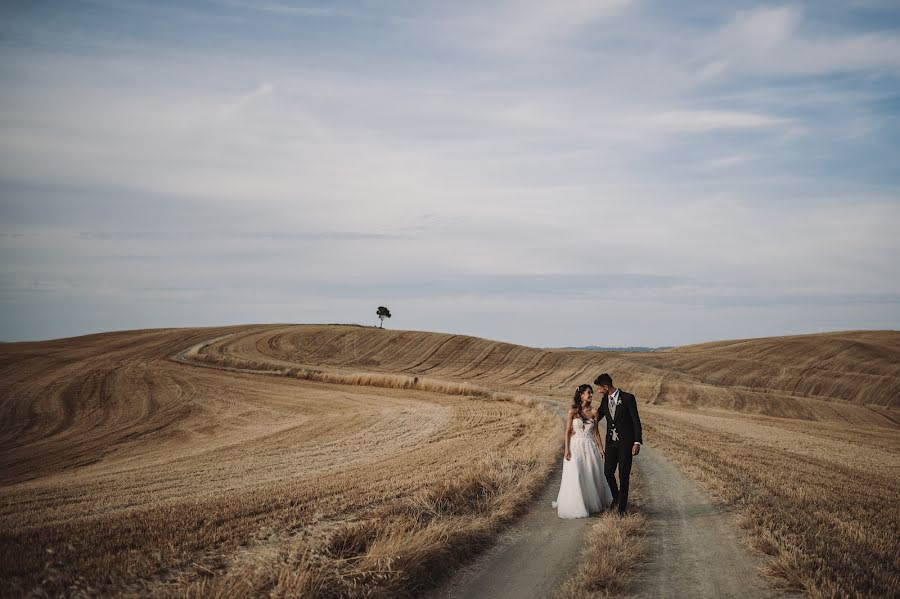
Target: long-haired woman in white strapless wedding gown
[(583, 490)]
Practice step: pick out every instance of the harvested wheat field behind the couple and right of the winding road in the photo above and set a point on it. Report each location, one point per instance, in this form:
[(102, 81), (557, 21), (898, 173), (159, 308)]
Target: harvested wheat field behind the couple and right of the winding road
[(818, 414)]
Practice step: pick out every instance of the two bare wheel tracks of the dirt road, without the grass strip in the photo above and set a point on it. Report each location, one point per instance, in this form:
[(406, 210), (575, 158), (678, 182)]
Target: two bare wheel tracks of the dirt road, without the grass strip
[(695, 549)]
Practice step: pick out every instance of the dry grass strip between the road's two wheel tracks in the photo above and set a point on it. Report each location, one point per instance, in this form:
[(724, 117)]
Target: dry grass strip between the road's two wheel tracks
[(614, 551)]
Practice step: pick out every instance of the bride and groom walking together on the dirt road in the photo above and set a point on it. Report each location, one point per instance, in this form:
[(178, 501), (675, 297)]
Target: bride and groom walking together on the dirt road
[(584, 489)]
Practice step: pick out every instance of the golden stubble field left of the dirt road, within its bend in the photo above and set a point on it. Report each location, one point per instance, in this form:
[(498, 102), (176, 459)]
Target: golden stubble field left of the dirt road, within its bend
[(127, 473)]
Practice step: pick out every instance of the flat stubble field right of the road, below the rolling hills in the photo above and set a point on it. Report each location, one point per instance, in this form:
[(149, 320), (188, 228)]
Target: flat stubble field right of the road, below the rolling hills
[(821, 499)]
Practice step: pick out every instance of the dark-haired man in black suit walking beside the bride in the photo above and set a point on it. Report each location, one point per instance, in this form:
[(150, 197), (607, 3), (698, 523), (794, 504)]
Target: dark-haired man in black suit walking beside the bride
[(623, 436)]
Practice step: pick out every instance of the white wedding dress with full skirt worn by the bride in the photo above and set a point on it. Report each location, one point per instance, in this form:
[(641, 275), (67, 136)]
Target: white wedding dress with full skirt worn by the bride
[(583, 489)]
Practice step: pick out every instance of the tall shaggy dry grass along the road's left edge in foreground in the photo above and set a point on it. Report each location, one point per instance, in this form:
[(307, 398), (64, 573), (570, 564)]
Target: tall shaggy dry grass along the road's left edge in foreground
[(396, 550)]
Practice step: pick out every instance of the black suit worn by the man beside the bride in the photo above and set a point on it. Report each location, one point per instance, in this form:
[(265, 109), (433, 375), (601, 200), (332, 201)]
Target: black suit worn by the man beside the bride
[(627, 423)]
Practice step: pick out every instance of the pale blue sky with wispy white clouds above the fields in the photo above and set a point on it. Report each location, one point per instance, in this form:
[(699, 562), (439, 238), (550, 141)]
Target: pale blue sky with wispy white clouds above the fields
[(606, 172)]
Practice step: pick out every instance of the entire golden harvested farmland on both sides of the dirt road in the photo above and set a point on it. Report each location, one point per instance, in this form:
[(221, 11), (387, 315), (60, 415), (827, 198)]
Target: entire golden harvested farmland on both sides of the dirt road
[(350, 460)]
